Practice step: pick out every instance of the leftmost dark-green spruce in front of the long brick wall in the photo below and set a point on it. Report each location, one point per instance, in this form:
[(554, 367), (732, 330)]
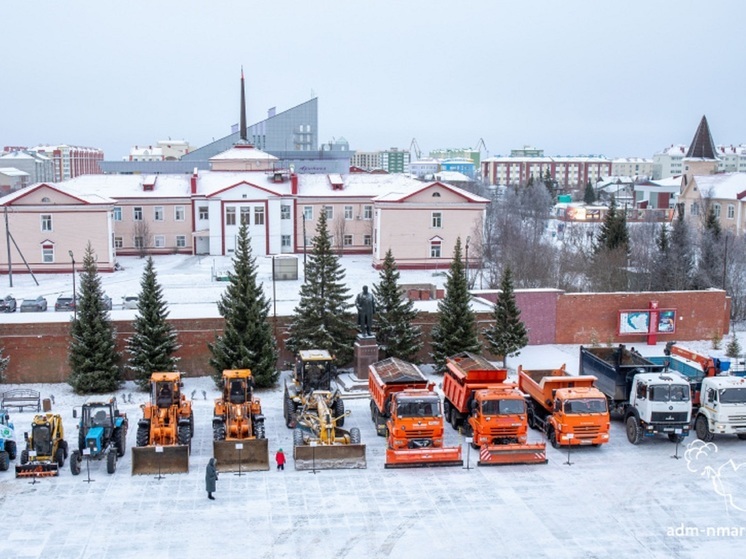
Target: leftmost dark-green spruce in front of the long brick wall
[(92, 355)]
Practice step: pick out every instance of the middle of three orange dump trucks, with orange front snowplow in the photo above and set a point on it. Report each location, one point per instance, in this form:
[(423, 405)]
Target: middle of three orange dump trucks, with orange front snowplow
[(479, 401)]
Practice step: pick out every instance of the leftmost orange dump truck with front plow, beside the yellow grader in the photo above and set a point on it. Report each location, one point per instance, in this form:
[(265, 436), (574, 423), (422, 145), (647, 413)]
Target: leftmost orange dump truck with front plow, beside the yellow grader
[(406, 410)]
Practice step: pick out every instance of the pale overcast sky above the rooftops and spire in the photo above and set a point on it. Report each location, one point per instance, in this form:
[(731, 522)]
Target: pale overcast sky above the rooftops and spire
[(617, 77)]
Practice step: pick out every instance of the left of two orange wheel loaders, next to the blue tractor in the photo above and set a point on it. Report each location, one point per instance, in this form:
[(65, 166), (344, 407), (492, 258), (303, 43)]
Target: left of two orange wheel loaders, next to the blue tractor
[(164, 434)]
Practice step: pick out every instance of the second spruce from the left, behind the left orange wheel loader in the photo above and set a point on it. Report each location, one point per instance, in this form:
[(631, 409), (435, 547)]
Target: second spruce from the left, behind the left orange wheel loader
[(152, 347)]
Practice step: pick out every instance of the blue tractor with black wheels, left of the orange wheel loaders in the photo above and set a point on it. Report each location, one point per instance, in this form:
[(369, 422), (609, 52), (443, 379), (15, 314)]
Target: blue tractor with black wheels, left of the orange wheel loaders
[(102, 435)]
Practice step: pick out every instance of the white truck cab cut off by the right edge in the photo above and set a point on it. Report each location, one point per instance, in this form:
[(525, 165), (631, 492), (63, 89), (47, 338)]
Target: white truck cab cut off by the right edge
[(722, 408)]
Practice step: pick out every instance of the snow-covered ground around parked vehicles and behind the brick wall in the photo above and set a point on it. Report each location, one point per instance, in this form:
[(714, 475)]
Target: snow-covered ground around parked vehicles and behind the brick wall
[(618, 500)]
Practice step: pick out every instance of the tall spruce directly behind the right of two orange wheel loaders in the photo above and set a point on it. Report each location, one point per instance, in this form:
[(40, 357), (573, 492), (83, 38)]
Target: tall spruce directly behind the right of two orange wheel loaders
[(247, 341)]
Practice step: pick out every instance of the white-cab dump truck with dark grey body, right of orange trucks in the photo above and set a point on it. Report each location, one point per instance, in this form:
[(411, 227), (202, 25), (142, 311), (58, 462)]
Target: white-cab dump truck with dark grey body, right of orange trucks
[(650, 400)]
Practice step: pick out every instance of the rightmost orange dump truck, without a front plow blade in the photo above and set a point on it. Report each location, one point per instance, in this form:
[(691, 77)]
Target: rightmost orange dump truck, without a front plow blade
[(569, 409)]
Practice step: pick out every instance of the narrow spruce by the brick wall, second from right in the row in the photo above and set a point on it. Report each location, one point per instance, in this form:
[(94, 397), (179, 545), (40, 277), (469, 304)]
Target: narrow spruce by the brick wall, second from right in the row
[(456, 329)]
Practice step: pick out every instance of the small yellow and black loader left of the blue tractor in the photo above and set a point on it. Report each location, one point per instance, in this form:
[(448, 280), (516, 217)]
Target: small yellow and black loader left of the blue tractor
[(46, 448)]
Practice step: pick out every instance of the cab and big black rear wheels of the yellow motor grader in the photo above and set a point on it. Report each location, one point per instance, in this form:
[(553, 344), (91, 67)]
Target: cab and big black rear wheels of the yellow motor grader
[(313, 371)]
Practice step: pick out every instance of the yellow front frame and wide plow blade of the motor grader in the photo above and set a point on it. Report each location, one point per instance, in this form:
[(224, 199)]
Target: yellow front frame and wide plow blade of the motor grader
[(318, 441)]
